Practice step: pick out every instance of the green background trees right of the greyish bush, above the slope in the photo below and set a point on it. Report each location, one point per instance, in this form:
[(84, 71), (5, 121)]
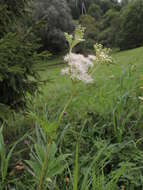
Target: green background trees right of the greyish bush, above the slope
[(115, 24)]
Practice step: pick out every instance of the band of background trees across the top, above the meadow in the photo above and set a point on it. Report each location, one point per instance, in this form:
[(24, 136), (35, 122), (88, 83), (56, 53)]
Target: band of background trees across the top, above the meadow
[(115, 24)]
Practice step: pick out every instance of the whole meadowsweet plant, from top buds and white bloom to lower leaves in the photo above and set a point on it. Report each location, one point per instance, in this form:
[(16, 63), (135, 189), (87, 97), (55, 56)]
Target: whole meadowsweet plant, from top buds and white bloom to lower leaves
[(79, 68)]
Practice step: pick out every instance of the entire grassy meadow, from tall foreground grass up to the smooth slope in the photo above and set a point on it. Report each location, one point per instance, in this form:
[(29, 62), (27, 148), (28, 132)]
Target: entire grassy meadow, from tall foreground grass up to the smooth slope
[(99, 141)]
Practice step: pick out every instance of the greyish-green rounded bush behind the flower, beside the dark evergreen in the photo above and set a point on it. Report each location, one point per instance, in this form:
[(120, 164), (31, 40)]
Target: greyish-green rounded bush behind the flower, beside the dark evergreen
[(57, 20)]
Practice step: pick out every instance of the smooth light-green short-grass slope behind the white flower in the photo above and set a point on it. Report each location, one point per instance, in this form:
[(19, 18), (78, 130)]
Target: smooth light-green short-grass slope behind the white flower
[(111, 83)]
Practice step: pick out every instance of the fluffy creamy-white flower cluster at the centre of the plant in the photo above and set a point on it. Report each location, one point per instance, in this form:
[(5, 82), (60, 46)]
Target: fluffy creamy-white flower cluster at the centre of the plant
[(78, 67)]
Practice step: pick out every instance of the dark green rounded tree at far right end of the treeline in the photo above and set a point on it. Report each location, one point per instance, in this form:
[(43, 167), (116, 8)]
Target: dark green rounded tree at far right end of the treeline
[(130, 35)]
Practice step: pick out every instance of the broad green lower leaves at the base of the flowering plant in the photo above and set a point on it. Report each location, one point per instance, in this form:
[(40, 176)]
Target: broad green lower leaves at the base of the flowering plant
[(44, 165)]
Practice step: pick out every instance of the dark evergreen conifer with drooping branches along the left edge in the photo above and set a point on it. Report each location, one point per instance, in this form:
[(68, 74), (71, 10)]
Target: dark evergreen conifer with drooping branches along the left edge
[(18, 57)]
